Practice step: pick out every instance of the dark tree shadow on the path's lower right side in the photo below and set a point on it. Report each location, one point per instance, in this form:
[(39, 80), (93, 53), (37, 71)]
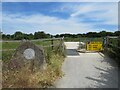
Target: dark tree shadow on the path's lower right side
[(107, 76)]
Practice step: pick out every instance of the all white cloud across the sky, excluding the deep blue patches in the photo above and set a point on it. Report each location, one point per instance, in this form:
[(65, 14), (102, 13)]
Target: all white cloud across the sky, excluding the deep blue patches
[(32, 23)]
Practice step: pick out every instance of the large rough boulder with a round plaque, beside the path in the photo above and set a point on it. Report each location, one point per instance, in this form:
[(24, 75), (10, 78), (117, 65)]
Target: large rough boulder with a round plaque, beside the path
[(28, 54)]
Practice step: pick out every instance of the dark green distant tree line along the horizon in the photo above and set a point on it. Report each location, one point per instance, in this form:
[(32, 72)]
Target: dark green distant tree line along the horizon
[(41, 34)]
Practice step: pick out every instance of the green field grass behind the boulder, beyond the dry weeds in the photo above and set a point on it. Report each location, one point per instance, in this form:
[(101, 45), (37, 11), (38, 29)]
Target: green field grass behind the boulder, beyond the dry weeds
[(7, 53)]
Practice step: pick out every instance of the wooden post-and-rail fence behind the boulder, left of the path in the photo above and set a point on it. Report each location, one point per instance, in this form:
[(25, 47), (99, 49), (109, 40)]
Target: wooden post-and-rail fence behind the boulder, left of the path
[(52, 45)]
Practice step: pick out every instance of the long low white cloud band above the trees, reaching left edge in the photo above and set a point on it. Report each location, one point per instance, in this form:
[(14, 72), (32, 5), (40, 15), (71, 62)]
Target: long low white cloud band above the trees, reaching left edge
[(49, 24)]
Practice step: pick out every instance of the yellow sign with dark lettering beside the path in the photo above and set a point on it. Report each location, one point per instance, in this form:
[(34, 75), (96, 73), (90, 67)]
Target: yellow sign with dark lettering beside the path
[(94, 46)]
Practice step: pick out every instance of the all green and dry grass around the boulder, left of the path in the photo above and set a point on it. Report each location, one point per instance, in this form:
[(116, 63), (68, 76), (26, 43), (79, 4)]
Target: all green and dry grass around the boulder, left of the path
[(24, 78)]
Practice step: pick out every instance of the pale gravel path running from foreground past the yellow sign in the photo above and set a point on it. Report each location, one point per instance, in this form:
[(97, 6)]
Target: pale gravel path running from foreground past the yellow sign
[(87, 70)]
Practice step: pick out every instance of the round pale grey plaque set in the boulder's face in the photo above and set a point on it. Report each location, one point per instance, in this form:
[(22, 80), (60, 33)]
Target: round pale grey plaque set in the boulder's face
[(29, 53)]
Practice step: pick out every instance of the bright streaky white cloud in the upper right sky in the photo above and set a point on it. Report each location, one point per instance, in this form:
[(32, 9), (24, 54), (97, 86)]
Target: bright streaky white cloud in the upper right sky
[(109, 12)]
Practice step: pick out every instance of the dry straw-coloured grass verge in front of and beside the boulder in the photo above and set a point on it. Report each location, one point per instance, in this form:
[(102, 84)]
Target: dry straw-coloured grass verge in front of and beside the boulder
[(24, 78)]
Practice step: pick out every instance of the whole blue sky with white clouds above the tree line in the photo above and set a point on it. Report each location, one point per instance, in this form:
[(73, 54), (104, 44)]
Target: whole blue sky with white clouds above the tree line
[(59, 17)]
